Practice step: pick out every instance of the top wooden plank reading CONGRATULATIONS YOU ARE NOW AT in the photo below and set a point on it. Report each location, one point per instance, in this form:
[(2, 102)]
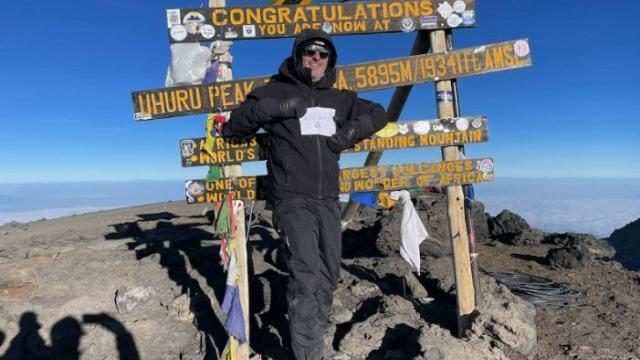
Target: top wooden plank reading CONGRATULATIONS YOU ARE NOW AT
[(273, 21)]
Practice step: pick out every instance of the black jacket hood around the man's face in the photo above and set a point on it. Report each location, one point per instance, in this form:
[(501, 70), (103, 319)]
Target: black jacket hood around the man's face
[(292, 66)]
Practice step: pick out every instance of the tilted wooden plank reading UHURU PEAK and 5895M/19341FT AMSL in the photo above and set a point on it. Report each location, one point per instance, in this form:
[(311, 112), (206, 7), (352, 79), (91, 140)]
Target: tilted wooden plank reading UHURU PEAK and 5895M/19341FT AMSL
[(197, 99)]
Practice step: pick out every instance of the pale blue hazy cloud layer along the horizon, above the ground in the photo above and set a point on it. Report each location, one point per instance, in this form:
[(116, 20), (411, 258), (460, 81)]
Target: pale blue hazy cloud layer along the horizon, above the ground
[(596, 206)]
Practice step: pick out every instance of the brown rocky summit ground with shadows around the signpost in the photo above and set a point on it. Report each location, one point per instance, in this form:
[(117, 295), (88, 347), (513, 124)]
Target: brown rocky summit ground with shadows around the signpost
[(146, 283)]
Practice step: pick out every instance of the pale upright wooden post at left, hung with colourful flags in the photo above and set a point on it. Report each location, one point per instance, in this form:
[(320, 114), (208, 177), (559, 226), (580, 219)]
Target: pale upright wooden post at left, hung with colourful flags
[(241, 351)]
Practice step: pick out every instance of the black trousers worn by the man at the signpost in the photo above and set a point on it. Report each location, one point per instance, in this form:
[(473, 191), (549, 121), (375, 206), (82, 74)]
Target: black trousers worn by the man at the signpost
[(310, 229)]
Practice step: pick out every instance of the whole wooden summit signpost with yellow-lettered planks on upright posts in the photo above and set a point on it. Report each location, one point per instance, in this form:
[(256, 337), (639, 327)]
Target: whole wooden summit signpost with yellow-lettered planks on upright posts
[(433, 21)]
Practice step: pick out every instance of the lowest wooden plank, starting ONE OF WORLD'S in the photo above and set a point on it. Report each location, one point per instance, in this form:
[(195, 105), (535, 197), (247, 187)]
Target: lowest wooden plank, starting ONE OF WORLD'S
[(359, 179)]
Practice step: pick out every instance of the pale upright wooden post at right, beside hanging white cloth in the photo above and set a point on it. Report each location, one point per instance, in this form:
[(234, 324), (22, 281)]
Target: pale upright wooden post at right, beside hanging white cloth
[(455, 203)]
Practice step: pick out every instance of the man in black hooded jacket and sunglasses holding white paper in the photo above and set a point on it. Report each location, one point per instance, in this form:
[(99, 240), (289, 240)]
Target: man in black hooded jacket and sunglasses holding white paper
[(309, 124)]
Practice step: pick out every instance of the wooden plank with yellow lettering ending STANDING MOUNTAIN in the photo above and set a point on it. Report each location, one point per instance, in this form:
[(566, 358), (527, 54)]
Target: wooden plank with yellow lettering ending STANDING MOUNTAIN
[(395, 136)]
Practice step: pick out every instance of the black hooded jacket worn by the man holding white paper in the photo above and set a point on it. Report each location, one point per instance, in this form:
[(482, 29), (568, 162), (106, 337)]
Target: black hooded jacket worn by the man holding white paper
[(303, 166)]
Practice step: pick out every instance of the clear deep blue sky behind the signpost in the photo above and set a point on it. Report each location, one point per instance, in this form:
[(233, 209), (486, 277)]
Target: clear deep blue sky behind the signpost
[(69, 67)]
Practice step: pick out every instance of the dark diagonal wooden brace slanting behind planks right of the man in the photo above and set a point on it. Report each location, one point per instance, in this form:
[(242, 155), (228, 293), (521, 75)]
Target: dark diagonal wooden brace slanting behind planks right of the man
[(400, 94)]
